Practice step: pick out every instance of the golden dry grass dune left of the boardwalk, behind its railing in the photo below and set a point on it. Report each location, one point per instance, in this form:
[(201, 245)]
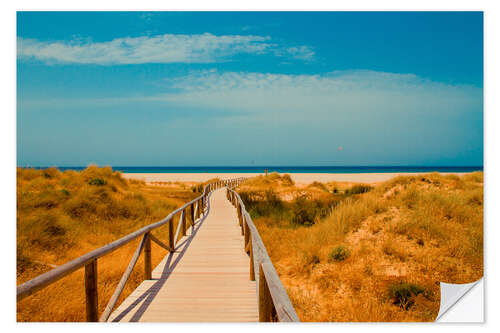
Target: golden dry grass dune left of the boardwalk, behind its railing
[(63, 215)]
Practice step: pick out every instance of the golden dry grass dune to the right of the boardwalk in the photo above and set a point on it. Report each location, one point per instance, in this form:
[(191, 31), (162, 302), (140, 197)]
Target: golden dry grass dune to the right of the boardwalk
[(403, 236)]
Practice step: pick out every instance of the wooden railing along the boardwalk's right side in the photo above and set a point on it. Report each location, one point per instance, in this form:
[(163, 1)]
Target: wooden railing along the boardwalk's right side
[(274, 304)]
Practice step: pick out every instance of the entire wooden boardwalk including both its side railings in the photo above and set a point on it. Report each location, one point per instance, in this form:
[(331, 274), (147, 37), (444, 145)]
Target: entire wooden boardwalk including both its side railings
[(218, 271)]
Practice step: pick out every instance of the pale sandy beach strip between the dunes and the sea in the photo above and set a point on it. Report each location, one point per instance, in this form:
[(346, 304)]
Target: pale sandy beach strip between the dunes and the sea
[(301, 178)]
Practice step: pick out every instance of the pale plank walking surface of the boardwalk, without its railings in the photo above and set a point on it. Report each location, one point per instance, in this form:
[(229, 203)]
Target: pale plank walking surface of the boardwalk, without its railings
[(205, 280)]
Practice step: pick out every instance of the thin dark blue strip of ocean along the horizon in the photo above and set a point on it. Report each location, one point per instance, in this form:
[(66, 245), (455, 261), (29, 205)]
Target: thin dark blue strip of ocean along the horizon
[(286, 169)]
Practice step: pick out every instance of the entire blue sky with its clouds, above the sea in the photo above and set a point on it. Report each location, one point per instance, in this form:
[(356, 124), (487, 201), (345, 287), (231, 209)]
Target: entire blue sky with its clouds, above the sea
[(194, 88)]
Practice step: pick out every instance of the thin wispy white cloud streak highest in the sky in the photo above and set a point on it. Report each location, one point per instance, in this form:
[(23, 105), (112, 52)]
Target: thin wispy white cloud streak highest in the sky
[(168, 48)]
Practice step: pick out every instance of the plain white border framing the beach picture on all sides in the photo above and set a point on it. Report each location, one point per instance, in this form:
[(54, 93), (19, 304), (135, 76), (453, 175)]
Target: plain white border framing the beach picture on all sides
[(492, 167)]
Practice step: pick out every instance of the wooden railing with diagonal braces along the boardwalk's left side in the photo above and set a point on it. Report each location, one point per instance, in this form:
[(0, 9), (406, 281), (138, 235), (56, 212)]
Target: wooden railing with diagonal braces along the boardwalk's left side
[(195, 209)]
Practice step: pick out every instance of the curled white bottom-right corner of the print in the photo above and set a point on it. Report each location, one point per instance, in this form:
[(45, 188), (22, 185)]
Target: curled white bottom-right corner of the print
[(459, 304)]
